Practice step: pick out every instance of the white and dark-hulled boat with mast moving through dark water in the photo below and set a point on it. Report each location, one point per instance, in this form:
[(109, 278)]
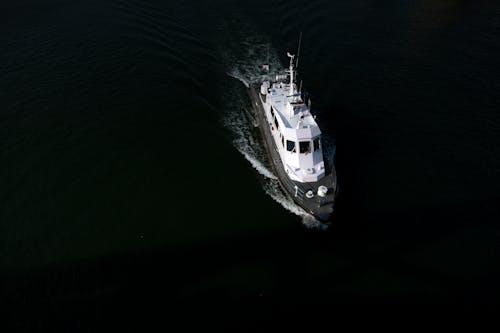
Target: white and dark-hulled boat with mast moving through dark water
[(293, 141)]
